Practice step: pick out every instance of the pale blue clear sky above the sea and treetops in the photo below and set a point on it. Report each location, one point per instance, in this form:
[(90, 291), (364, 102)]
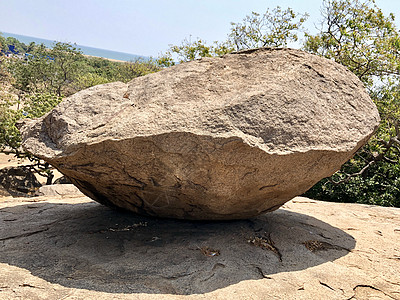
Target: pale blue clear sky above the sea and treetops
[(145, 27)]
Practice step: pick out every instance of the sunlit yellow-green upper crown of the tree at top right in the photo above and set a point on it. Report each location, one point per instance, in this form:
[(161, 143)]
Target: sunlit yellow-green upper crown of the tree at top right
[(359, 36)]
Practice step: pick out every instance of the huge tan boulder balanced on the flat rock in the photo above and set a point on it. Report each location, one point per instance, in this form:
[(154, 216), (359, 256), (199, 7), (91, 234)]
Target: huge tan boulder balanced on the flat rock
[(216, 138)]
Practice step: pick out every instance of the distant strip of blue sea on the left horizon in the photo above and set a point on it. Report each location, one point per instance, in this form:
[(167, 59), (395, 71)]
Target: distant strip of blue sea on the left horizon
[(86, 50)]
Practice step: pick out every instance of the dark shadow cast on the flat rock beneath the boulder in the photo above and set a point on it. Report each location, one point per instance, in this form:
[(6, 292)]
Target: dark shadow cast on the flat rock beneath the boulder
[(89, 246)]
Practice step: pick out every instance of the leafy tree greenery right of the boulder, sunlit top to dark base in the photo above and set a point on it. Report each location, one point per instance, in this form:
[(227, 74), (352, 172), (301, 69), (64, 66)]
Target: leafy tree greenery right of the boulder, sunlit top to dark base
[(359, 36)]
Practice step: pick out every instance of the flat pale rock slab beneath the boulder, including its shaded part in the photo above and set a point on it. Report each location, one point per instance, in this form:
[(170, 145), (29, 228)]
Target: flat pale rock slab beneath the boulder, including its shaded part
[(74, 248)]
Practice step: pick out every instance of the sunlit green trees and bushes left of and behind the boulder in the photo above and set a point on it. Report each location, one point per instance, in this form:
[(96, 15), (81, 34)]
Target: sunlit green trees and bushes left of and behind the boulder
[(36, 80)]
